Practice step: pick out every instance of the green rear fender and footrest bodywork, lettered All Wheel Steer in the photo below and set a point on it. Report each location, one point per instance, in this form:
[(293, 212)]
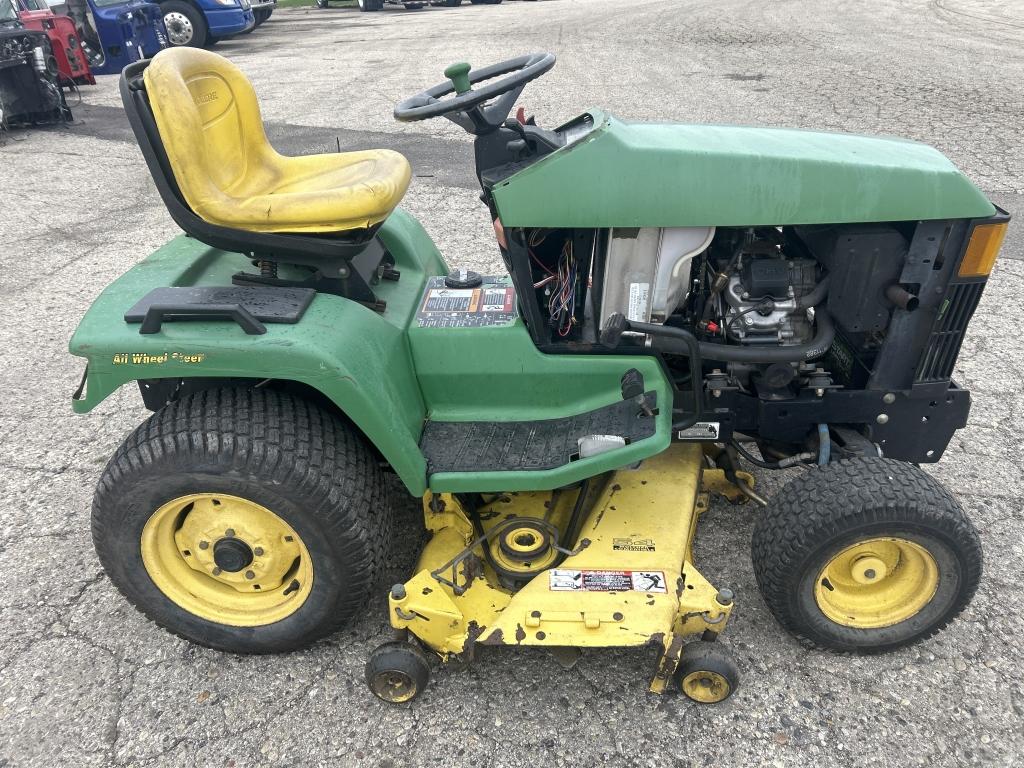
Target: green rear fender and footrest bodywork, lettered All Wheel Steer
[(387, 374)]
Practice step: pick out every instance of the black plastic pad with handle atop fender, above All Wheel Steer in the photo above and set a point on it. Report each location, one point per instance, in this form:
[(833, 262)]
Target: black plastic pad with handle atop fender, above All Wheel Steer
[(266, 305)]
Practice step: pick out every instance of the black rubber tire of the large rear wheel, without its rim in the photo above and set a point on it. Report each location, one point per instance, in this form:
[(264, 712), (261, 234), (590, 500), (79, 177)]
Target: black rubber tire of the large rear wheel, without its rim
[(258, 438)]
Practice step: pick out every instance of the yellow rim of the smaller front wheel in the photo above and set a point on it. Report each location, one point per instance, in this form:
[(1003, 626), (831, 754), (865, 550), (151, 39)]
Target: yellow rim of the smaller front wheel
[(877, 583)]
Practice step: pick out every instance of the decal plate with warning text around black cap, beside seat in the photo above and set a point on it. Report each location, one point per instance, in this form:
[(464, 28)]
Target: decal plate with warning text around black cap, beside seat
[(493, 304)]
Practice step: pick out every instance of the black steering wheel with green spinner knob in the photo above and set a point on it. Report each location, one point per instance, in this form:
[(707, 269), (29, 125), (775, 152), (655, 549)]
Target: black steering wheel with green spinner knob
[(468, 109)]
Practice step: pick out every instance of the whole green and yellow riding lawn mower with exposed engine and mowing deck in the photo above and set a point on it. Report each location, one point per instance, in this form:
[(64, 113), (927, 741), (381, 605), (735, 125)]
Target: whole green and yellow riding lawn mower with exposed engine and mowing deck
[(681, 303)]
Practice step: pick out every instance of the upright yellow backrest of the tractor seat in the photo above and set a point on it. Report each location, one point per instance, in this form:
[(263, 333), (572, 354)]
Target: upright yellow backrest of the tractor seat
[(209, 122)]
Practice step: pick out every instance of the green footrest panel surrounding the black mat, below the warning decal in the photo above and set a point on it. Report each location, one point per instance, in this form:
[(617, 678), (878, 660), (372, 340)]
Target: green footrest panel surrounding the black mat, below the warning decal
[(498, 374)]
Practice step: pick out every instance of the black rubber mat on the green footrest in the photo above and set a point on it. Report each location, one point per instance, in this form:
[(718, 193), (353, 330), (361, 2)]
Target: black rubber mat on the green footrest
[(525, 446)]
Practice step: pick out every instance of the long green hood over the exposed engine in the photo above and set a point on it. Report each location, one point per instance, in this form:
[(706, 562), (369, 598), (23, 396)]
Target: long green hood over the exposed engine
[(636, 175)]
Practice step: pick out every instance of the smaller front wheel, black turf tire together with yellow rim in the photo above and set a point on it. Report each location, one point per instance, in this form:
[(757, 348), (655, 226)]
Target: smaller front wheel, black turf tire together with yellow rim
[(866, 556)]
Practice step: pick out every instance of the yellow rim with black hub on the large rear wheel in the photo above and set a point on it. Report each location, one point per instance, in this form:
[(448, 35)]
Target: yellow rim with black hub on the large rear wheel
[(227, 560)]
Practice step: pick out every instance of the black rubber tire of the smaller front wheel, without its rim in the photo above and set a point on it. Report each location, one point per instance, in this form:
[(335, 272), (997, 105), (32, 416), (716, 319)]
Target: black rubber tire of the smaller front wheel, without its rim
[(827, 504)]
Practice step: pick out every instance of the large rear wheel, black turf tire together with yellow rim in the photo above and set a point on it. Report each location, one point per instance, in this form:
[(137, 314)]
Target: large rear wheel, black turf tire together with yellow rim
[(245, 521)]
